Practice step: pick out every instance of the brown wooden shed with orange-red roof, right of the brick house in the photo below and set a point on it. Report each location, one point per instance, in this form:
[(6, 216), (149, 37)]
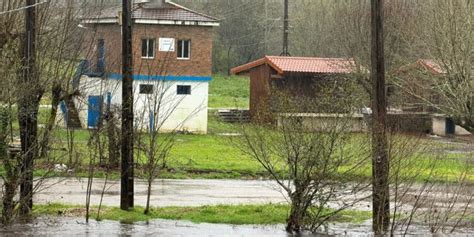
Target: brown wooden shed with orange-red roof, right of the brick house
[(299, 75)]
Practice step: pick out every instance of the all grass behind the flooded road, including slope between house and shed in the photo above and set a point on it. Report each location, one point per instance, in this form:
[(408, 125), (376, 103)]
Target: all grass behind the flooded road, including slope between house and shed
[(214, 156)]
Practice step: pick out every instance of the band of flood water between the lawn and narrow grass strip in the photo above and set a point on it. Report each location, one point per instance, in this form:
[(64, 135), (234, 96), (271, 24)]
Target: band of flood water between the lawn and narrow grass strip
[(164, 192)]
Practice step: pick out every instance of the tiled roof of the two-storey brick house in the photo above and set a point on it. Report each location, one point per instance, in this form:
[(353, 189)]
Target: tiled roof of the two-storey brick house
[(171, 12)]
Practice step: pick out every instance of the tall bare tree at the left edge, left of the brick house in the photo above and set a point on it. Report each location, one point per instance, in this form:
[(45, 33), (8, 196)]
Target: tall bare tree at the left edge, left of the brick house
[(51, 29)]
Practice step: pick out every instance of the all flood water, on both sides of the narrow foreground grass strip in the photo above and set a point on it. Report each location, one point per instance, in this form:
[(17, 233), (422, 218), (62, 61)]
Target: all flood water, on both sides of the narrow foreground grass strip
[(180, 193)]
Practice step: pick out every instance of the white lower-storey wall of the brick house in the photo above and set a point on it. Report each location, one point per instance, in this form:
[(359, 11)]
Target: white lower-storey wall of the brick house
[(173, 112)]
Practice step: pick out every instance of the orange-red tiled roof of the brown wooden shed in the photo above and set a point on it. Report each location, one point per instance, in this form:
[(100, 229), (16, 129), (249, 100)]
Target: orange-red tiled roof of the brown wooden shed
[(301, 65)]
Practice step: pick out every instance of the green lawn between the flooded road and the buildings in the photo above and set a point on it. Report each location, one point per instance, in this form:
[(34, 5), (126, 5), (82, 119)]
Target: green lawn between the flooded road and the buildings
[(214, 156)]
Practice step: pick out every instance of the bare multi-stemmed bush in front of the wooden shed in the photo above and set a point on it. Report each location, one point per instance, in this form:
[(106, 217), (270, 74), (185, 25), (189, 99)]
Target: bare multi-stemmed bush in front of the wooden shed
[(308, 157)]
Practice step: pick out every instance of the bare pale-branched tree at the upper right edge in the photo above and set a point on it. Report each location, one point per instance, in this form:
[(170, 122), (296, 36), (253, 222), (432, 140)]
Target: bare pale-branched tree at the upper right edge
[(445, 42)]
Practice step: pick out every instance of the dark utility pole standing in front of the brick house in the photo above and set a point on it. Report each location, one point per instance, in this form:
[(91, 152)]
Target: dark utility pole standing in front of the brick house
[(126, 191)]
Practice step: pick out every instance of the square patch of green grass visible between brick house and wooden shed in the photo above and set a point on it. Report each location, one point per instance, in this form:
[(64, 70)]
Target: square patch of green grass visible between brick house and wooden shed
[(229, 92)]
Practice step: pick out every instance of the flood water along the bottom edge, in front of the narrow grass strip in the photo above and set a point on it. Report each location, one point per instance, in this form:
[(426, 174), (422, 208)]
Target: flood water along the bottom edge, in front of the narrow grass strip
[(68, 226)]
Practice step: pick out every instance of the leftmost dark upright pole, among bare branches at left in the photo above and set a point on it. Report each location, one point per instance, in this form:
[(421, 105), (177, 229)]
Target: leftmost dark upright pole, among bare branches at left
[(28, 103)]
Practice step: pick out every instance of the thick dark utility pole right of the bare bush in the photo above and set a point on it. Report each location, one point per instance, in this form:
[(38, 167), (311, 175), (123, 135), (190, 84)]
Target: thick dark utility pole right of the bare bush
[(380, 158)]
